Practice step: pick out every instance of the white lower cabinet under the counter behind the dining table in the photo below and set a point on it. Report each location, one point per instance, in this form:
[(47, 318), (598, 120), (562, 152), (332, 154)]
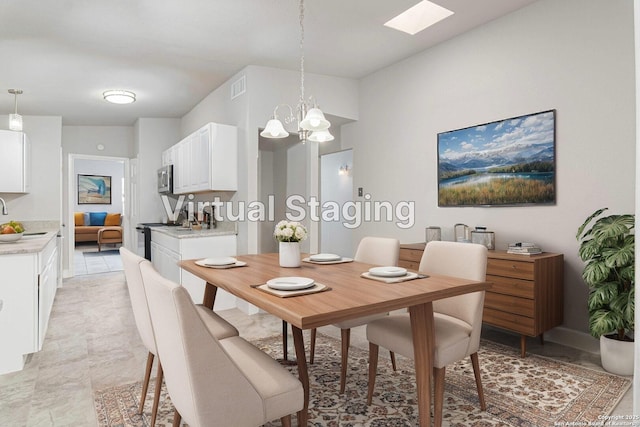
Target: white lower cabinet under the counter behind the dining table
[(168, 251)]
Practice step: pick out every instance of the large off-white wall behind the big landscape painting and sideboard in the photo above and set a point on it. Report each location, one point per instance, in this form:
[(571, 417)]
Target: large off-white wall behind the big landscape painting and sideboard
[(574, 56)]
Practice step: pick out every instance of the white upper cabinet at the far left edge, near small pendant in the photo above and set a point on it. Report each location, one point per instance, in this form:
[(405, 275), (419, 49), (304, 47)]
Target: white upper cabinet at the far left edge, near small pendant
[(15, 162)]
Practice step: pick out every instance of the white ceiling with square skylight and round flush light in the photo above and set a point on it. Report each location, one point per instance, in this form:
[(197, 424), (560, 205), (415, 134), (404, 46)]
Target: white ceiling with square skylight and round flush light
[(64, 53)]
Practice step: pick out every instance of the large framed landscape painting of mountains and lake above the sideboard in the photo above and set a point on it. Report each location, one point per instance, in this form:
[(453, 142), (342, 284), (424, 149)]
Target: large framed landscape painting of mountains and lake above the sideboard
[(510, 162)]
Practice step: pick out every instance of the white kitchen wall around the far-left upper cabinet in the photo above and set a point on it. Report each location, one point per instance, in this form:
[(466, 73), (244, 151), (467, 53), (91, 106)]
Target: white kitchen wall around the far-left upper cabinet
[(44, 200)]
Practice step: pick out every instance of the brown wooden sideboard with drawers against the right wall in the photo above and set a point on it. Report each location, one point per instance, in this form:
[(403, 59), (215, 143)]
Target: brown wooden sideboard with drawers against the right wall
[(527, 296)]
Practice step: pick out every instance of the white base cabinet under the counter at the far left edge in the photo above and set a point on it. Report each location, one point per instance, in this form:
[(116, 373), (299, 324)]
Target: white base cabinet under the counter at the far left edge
[(27, 291)]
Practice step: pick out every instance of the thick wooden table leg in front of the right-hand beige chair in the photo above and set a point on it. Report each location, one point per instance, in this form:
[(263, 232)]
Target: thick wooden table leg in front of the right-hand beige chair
[(423, 331)]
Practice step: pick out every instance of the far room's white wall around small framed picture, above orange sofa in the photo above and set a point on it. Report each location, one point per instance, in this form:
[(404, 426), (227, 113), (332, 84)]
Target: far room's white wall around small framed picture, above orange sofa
[(111, 168)]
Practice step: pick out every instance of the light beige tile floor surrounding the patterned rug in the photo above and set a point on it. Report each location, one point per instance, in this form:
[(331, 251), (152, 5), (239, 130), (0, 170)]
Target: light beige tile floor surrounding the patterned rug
[(92, 343)]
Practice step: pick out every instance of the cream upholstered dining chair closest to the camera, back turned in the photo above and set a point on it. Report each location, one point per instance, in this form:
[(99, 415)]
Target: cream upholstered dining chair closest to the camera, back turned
[(213, 382)]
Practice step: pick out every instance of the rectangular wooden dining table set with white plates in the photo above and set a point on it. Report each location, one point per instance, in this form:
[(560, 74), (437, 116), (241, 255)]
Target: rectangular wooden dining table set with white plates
[(348, 296)]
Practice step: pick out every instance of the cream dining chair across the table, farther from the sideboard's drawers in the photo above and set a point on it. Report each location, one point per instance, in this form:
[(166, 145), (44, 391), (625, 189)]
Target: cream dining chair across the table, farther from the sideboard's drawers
[(382, 251)]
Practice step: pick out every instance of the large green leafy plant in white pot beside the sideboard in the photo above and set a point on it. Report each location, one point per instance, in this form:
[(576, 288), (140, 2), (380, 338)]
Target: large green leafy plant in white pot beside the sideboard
[(608, 249)]
